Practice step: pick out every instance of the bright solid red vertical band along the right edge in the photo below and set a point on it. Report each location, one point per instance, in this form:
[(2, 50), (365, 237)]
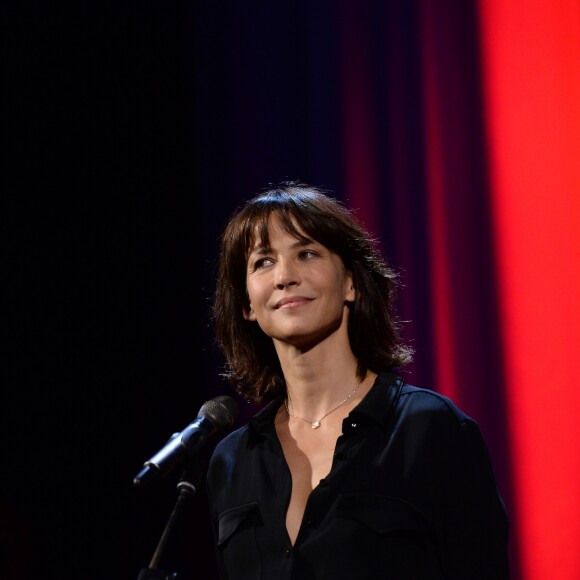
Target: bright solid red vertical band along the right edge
[(531, 56)]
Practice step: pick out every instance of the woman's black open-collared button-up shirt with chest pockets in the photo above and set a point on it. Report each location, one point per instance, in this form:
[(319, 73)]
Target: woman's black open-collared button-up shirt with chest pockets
[(411, 495)]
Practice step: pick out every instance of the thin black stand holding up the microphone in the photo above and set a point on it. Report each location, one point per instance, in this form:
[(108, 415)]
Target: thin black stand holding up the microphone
[(186, 488)]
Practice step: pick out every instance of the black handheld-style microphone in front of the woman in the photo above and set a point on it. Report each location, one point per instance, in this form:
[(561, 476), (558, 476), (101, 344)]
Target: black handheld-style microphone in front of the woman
[(215, 416)]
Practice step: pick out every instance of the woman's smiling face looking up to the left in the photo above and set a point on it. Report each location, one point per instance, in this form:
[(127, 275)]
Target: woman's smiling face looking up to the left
[(298, 291)]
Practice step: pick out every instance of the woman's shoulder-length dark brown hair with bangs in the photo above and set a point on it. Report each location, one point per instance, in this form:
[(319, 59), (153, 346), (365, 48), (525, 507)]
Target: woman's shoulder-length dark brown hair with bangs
[(252, 365)]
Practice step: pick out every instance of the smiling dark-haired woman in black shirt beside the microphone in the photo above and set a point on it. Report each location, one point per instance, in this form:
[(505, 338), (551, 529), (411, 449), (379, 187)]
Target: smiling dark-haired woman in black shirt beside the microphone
[(347, 472)]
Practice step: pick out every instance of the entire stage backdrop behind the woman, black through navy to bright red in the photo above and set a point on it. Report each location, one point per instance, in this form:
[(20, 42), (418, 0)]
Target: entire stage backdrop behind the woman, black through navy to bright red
[(132, 130)]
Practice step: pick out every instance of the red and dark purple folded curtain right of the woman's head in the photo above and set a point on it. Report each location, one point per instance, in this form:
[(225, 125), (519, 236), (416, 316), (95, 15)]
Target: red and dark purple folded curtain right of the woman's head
[(491, 228)]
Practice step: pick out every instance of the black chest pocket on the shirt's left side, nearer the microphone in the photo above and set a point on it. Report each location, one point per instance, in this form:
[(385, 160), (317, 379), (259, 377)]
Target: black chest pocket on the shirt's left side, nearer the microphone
[(237, 540)]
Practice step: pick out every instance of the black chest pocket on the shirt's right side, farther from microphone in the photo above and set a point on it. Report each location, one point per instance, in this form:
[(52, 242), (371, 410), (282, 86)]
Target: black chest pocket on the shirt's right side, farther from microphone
[(391, 532)]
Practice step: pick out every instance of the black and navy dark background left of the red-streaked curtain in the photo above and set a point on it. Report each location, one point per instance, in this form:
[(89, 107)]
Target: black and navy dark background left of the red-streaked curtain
[(130, 130)]
